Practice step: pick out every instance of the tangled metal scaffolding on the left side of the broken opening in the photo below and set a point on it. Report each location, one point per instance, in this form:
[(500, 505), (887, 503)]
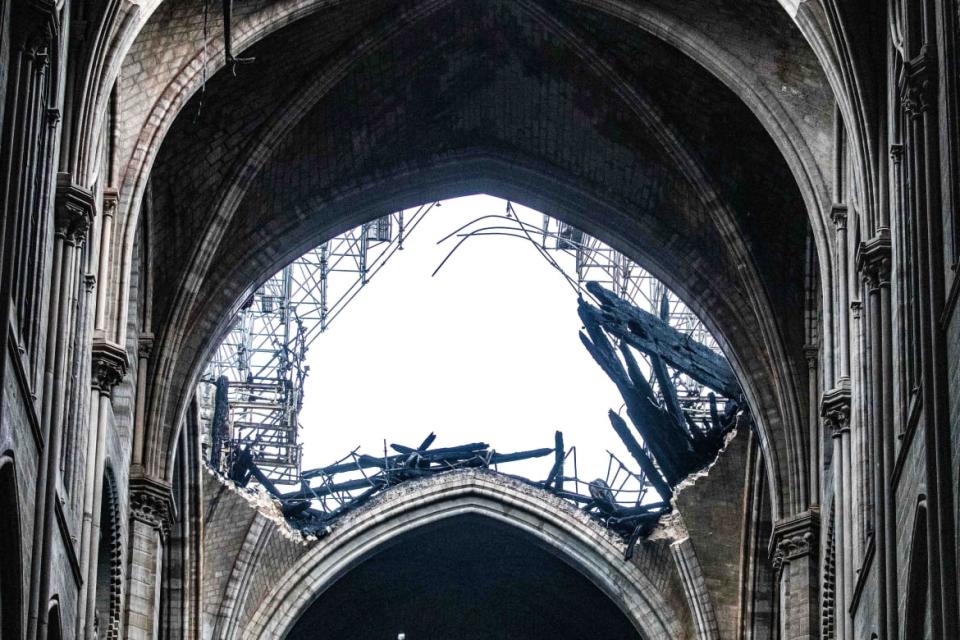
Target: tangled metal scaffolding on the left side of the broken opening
[(263, 358)]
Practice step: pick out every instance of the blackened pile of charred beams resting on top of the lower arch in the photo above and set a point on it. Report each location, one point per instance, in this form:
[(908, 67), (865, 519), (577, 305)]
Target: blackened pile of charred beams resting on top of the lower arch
[(669, 441)]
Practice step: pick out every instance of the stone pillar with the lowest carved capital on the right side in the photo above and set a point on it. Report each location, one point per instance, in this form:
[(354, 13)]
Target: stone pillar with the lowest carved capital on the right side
[(794, 547)]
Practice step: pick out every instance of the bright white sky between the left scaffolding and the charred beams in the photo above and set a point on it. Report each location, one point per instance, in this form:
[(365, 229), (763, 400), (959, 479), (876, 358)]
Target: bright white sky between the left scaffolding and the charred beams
[(485, 351)]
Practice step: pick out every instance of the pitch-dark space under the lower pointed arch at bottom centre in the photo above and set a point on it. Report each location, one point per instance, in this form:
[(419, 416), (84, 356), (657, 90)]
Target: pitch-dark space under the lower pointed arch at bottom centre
[(469, 578)]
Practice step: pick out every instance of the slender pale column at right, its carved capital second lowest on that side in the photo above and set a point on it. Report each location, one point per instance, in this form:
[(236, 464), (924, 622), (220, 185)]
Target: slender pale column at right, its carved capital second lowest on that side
[(835, 409)]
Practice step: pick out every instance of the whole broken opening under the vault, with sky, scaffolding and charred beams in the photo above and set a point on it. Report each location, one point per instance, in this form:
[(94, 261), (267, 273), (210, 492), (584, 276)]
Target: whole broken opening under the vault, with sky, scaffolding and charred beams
[(445, 337)]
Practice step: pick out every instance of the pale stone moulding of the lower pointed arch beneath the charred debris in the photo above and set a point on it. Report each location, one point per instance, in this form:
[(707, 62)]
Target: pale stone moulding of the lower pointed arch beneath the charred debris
[(578, 541)]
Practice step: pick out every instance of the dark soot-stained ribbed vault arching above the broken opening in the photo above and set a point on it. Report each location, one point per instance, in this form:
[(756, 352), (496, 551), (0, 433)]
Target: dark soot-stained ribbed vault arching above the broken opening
[(345, 115)]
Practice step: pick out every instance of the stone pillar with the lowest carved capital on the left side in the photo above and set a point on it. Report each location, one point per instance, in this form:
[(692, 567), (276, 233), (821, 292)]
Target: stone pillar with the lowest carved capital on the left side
[(151, 511)]
